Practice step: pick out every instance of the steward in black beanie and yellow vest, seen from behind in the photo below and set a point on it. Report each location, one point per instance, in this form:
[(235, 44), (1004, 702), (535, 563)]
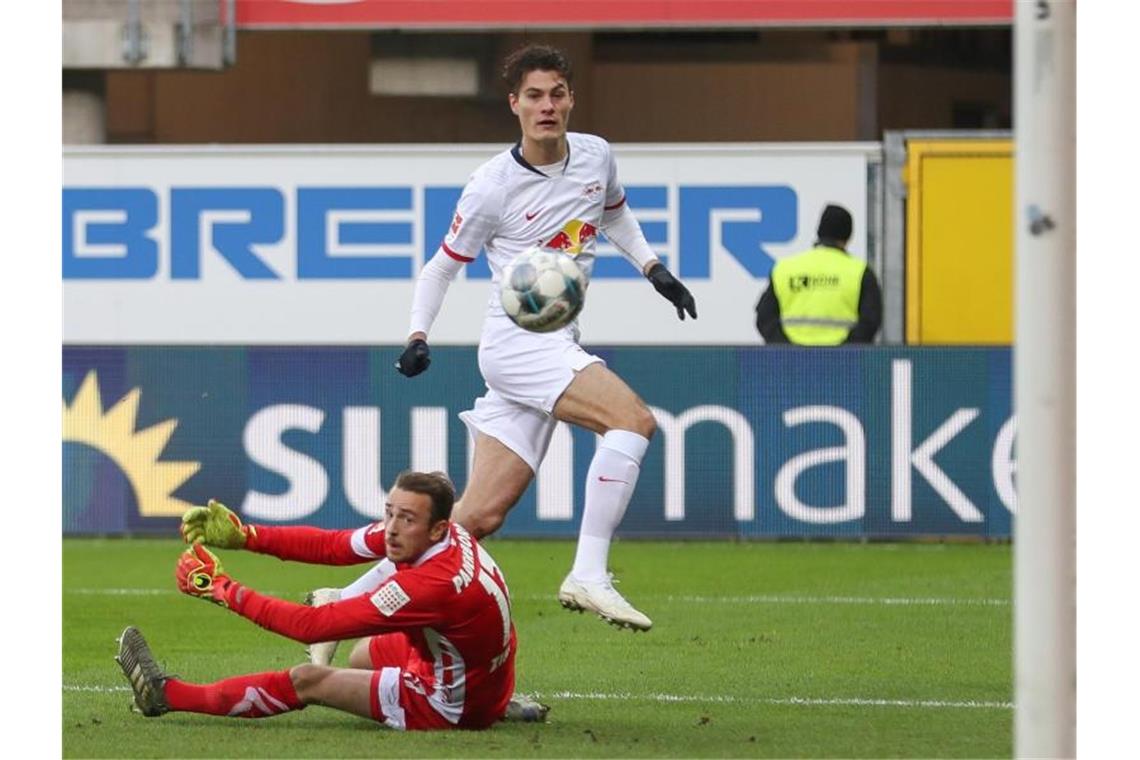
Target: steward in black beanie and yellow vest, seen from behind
[(823, 297)]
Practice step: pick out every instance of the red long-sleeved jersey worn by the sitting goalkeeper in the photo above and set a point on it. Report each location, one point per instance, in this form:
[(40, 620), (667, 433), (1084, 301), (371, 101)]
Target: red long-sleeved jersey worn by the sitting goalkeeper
[(453, 604)]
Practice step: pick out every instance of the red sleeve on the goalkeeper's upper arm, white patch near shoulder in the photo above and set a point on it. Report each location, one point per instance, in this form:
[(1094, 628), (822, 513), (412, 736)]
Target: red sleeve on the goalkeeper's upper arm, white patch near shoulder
[(317, 546)]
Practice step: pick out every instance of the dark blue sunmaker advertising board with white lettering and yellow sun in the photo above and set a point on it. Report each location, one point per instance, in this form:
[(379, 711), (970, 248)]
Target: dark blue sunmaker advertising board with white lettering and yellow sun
[(753, 442)]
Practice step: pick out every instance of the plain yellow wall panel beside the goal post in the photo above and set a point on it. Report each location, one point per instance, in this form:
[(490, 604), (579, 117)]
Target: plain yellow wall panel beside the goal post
[(960, 242)]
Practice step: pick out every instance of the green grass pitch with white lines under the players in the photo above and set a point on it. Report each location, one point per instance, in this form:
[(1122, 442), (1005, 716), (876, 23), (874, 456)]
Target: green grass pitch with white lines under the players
[(759, 650)]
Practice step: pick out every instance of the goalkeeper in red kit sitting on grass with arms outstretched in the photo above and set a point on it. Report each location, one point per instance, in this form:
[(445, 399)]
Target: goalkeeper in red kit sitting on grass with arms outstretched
[(437, 644)]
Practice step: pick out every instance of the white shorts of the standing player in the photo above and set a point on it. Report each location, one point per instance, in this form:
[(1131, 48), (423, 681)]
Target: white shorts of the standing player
[(526, 375)]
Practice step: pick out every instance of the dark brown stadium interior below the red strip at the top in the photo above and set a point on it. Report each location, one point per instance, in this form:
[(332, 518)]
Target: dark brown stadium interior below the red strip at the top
[(313, 87)]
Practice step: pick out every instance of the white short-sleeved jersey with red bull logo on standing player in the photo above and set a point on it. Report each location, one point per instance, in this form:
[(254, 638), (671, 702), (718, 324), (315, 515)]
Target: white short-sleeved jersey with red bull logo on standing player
[(510, 206)]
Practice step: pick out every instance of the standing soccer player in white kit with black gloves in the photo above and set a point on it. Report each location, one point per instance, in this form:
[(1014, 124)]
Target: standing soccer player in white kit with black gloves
[(553, 189)]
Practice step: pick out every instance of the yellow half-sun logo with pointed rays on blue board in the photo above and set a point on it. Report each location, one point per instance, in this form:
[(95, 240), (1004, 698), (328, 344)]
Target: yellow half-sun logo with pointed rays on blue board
[(135, 453)]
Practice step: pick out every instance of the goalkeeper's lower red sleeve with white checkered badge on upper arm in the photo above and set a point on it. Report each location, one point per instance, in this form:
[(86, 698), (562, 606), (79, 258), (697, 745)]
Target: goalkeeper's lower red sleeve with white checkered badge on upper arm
[(405, 602)]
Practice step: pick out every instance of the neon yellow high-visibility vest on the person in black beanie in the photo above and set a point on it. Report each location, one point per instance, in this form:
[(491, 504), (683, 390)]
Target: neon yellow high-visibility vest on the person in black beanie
[(818, 292)]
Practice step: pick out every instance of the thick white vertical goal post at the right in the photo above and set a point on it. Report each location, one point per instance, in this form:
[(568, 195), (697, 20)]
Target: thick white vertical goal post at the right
[(1045, 387)]
